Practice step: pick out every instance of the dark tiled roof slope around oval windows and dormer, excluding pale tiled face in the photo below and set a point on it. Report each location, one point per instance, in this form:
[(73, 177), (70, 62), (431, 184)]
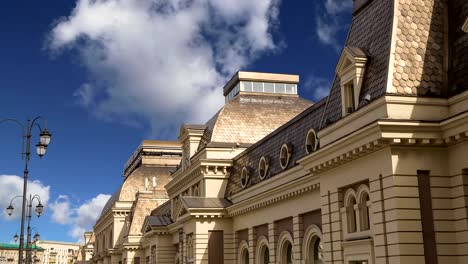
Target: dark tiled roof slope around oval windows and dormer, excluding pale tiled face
[(371, 32)]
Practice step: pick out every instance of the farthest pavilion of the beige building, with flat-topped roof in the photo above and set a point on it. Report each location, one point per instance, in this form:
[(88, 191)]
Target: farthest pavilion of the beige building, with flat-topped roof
[(117, 233)]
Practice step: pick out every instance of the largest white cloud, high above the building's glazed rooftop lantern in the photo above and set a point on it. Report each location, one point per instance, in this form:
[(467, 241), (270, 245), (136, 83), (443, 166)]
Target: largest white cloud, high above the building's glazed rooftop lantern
[(163, 61)]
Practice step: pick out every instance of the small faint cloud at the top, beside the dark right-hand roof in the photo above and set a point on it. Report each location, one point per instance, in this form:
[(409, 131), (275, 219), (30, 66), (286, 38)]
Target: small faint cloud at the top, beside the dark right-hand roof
[(330, 22)]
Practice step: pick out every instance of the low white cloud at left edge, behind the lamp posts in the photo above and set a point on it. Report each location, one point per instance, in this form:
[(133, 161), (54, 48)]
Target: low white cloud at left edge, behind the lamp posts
[(12, 186)]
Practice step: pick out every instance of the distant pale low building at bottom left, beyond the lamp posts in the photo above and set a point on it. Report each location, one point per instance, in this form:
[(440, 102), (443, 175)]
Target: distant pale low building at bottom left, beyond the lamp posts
[(56, 252)]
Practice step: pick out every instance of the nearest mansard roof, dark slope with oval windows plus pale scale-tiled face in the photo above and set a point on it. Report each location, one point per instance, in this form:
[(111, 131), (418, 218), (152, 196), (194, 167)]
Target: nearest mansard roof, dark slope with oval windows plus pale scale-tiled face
[(410, 62)]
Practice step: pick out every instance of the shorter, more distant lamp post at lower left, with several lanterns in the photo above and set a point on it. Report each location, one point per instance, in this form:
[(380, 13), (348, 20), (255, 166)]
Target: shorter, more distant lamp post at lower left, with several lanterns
[(39, 210)]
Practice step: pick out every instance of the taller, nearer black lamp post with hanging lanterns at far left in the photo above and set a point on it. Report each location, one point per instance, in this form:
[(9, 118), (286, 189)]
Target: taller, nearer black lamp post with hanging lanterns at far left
[(41, 147)]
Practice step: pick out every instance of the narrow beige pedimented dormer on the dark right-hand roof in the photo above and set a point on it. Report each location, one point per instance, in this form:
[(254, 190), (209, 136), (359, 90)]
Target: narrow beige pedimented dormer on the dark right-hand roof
[(351, 68)]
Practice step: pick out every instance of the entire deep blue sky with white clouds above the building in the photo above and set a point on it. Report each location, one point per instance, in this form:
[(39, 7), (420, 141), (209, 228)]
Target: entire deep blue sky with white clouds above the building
[(108, 74)]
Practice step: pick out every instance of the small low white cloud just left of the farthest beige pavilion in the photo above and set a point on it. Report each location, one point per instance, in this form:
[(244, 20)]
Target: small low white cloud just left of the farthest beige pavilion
[(81, 217)]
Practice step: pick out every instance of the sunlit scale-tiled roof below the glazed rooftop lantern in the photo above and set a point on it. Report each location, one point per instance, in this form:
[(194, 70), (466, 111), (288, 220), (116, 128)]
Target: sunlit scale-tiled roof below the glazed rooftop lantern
[(248, 118)]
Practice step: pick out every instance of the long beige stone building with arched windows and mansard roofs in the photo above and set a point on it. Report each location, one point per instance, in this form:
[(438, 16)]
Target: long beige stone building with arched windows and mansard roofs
[(376, 172)]
